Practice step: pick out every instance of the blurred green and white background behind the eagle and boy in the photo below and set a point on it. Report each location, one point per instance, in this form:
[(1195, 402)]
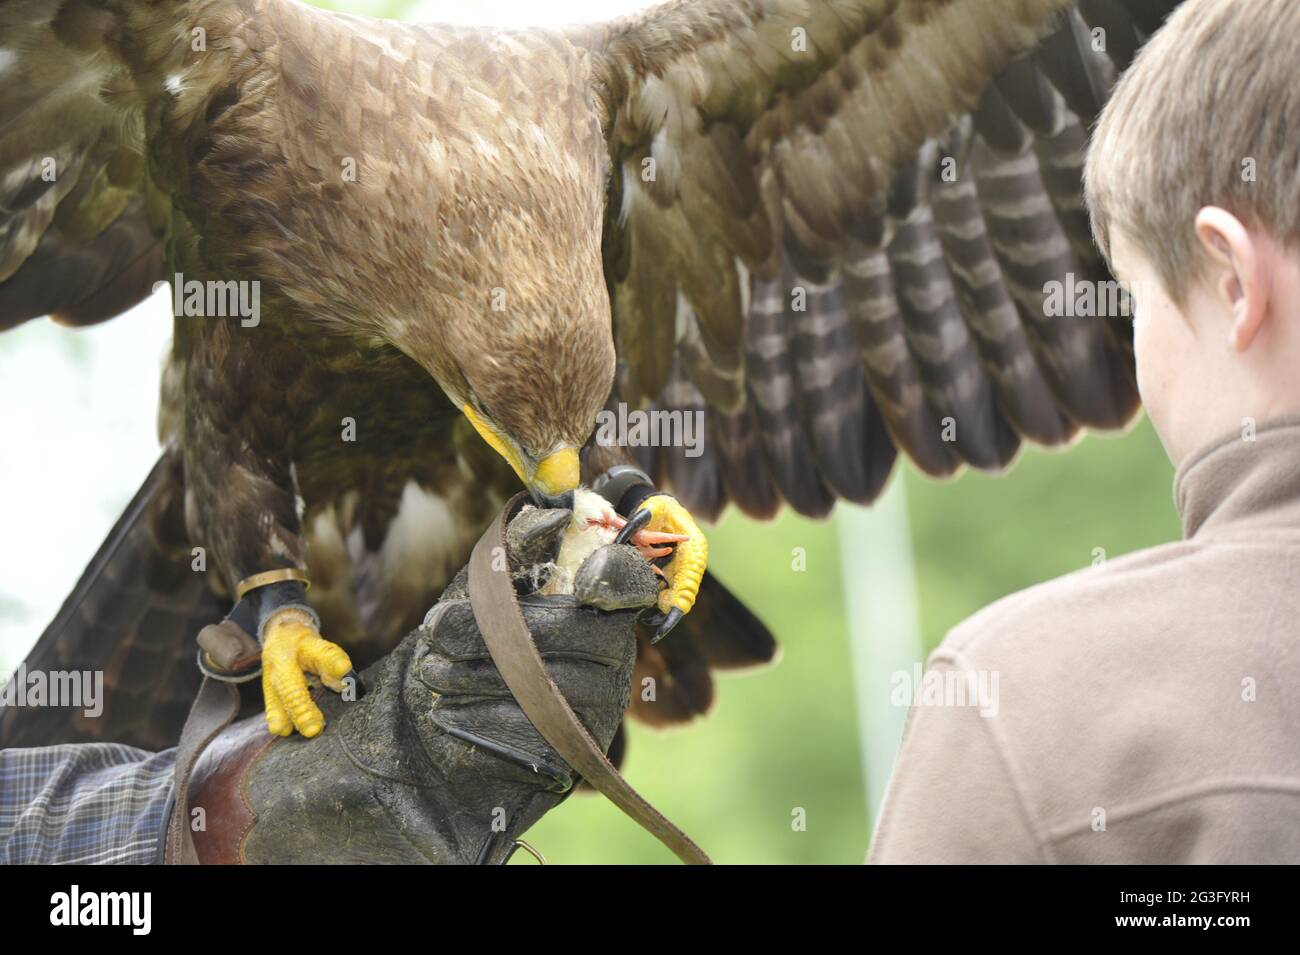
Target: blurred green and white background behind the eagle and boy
[(778, 743)]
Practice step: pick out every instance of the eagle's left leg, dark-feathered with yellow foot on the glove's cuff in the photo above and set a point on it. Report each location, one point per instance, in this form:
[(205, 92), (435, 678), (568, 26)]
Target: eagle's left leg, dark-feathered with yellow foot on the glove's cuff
[(242, 506)]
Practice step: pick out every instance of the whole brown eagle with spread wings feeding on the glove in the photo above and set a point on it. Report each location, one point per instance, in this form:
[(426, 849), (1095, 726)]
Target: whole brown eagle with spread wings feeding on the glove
[(827, 229)]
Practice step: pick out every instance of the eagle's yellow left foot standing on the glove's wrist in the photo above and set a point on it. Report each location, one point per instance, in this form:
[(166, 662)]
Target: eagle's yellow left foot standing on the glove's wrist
[(292, 648)]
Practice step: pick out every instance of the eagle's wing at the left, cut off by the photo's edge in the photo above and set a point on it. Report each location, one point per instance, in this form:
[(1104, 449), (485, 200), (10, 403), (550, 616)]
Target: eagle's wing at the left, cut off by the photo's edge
[(81, 223)]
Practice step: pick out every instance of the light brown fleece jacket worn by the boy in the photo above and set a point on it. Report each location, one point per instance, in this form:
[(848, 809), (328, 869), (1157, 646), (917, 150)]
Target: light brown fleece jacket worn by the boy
[(1142, 711)]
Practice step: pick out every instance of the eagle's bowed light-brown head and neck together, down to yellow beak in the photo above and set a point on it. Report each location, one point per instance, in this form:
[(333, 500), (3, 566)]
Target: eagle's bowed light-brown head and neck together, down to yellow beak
[(500, 290)]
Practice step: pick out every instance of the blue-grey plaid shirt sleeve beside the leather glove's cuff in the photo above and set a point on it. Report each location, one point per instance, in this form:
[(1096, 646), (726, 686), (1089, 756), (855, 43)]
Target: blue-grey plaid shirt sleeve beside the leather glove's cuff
[(83, 804)]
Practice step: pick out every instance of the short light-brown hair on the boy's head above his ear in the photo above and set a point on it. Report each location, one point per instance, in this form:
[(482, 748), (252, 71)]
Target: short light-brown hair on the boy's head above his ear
[(1208, 115)]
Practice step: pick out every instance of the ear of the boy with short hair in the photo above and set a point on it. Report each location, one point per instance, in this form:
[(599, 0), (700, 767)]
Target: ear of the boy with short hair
[(1238, 272)]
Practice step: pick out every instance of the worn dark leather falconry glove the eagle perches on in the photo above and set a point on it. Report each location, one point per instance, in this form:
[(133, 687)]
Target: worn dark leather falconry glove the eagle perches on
[(436, 763)]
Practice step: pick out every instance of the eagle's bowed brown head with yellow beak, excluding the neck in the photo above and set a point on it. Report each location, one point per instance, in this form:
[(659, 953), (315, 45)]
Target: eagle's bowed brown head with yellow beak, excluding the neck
[(526, 351)]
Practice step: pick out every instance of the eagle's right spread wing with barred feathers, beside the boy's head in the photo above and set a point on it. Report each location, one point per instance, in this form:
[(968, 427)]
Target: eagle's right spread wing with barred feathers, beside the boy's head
[(831, 224)]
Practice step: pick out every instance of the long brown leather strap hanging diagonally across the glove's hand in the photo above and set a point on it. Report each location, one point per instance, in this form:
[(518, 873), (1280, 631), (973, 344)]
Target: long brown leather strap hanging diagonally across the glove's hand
[(492, 596)]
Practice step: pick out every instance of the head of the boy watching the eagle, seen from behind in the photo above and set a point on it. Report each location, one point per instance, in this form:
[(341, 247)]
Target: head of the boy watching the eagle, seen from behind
[(1194, 188)]
